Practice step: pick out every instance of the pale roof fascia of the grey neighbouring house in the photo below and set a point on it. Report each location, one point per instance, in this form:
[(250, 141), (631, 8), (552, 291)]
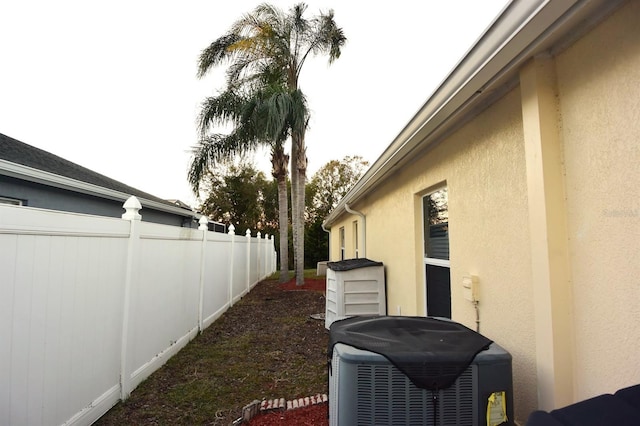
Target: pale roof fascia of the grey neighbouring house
[(19, 171)]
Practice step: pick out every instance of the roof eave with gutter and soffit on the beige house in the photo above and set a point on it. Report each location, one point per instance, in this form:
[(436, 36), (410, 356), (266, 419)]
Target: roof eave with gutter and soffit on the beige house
[(522, 30)]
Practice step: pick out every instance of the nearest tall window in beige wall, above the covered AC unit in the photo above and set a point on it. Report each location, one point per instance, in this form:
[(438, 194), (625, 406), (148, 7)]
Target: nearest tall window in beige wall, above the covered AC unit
[(435, 210)]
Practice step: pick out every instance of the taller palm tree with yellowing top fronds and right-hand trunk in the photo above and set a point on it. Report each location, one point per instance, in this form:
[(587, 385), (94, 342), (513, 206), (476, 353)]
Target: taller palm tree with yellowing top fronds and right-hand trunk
[(271, 41)]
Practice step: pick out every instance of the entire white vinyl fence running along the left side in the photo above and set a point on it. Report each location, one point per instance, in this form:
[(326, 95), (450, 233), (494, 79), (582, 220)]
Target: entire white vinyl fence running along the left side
[(90, 306)]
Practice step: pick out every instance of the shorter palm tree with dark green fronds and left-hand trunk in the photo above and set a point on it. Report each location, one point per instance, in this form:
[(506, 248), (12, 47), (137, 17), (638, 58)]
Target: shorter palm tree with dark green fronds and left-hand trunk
[(260, 116)]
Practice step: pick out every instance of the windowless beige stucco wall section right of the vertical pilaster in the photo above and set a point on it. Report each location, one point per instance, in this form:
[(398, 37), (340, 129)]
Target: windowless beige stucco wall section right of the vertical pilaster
[(599, 87)]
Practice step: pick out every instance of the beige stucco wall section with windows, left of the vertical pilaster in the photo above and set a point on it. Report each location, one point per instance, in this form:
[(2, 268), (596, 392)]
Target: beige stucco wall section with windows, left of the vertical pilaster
[(482, 166)]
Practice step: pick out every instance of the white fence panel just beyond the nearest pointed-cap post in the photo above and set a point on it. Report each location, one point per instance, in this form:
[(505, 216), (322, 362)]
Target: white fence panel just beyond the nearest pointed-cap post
[(164, 296)]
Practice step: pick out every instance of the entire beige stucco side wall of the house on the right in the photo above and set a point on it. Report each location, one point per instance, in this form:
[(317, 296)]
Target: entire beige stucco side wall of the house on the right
[(484, 166)]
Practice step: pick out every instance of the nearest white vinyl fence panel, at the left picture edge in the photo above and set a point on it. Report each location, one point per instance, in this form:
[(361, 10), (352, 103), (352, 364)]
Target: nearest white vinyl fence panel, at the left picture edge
[(60, 317)]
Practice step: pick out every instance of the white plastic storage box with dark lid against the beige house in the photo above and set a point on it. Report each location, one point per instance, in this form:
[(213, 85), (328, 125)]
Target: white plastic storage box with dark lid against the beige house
[(354, 287)]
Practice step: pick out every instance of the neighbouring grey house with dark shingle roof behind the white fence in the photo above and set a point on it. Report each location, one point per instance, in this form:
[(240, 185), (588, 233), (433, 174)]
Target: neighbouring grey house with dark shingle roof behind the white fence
[(32, 177)]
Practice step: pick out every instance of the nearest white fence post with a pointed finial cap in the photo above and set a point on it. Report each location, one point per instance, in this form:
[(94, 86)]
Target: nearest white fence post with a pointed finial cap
[(132, 207)]
